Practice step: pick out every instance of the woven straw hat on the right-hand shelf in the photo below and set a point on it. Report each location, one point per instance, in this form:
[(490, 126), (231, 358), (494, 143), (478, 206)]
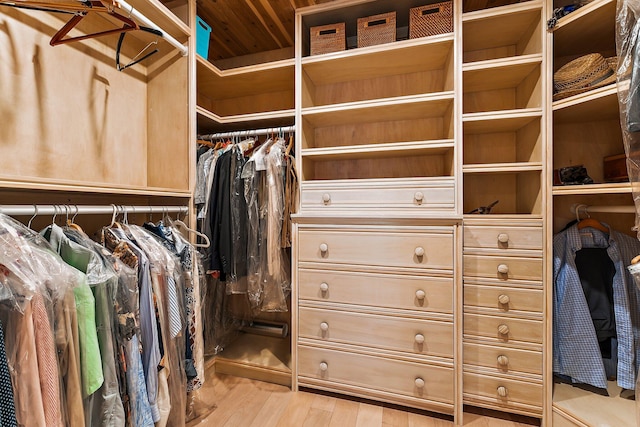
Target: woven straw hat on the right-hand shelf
[(583, 74)]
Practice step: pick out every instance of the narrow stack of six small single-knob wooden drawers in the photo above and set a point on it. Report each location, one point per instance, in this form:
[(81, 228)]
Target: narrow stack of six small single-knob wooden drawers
[(503, 328)]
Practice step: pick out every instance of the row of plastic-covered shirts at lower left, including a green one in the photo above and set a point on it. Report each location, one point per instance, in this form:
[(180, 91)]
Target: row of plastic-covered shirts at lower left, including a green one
[(99, 334)]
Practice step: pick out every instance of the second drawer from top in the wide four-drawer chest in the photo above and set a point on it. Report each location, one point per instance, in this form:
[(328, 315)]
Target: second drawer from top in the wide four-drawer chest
[(429, 294)]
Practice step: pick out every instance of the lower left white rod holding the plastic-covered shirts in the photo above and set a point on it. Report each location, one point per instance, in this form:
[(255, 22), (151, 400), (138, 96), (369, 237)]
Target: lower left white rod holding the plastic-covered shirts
[(17, 210)]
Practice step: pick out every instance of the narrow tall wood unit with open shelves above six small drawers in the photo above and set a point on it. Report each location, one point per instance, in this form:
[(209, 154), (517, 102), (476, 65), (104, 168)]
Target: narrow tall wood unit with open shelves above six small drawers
[(503, 120)]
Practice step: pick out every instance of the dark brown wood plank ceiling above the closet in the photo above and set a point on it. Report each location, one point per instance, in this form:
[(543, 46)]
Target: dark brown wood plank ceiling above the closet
[(243, 27)]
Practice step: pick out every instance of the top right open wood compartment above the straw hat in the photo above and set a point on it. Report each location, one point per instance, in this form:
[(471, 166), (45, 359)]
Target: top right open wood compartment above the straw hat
[(589, 29)]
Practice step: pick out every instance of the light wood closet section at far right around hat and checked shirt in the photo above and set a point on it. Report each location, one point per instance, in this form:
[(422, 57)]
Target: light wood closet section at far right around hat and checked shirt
[(585, 129)]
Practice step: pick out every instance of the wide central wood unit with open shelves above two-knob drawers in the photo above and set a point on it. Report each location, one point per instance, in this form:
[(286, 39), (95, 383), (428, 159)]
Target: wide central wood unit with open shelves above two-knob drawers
[(377, 234)]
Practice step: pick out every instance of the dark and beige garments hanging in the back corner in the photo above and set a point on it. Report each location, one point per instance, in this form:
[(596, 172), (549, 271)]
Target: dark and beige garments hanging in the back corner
[(245, 194)]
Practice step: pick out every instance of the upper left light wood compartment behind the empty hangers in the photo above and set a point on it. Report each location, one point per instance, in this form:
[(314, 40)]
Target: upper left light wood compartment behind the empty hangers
[(75, 130)]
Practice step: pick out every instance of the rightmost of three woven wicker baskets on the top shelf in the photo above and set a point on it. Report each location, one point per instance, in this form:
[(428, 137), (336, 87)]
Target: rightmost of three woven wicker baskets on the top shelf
[(432, 19)]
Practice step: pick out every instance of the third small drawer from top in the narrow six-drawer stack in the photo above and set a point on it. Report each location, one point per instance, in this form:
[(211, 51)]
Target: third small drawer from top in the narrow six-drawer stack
[(504, 299)]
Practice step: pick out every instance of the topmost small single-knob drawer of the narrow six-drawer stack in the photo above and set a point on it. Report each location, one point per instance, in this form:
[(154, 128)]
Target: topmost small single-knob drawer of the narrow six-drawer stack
[(503, 238)]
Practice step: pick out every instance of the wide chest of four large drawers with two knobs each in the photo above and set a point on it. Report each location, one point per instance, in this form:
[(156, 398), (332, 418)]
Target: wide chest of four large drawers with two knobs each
[(375, 312)]
